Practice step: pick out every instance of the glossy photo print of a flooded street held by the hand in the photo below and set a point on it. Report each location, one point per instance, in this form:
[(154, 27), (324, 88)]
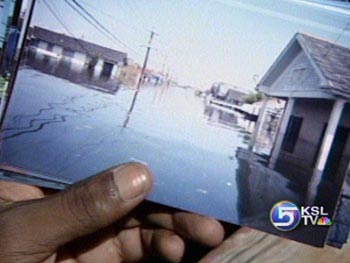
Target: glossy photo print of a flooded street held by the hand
[(240, 108)]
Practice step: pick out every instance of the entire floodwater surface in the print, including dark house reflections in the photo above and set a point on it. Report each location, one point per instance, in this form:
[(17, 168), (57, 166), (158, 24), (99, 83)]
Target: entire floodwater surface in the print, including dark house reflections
[(67, 125)]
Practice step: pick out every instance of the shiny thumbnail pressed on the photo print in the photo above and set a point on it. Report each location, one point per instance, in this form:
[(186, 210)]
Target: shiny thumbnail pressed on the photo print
[(131, 181)]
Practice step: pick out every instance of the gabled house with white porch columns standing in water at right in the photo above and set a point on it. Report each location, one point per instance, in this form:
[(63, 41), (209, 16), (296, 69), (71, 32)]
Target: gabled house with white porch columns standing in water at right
[(313, 141)]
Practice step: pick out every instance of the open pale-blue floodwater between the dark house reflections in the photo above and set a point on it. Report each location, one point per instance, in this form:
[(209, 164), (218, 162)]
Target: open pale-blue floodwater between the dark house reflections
[(78, 133)]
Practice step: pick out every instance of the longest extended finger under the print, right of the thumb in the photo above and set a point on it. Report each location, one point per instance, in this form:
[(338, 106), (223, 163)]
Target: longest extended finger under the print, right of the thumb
[(204, 230)]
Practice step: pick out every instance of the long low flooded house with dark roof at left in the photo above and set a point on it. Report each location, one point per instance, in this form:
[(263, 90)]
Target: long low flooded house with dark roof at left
[(82, 53)]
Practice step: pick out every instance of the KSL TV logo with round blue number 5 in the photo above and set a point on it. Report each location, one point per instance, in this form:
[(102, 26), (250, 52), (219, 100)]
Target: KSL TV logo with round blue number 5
[(286, 216)]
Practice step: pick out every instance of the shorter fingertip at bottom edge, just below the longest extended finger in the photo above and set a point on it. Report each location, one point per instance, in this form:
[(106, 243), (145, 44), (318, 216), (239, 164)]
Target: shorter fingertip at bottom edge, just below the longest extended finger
[(163, 244)]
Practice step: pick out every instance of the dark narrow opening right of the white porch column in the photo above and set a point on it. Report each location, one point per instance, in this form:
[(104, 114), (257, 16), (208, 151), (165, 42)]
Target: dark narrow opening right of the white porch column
[(333, 165)]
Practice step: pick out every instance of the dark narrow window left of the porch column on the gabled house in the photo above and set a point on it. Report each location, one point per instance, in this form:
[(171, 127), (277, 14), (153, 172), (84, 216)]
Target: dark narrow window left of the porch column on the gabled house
[(292, 134)]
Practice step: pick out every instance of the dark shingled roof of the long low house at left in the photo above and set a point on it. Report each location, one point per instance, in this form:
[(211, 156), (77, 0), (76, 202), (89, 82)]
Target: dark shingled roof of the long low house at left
[(78, 45)]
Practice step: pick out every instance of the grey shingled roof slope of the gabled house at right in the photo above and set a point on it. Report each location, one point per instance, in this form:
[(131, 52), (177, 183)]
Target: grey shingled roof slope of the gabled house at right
[(333, 61)]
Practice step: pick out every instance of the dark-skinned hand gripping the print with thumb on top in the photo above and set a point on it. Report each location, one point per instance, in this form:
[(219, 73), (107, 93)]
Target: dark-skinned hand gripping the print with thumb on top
[(102, 219)]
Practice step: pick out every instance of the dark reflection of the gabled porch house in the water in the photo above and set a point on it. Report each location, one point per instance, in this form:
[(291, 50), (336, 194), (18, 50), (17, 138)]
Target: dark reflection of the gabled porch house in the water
[(260, 188)]
